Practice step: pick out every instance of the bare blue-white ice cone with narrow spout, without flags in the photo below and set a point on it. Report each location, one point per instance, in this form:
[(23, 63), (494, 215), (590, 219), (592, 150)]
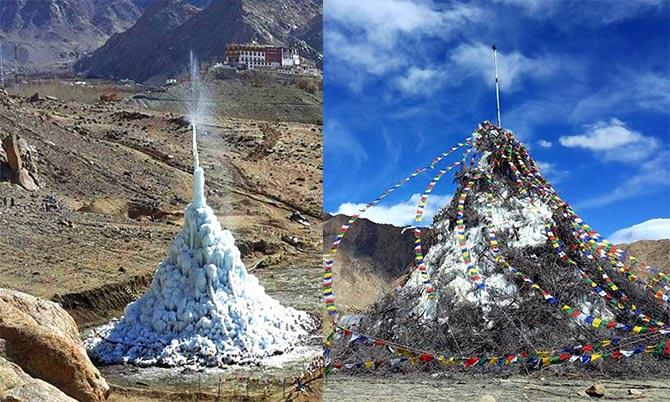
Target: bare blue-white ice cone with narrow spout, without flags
[(202, 308)]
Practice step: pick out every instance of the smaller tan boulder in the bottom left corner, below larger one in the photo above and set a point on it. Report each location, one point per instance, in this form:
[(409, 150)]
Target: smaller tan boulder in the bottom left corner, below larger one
[(17, 386)]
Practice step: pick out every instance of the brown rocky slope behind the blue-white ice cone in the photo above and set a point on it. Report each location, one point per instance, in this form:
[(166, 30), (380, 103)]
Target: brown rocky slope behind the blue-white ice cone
[(114, 179)]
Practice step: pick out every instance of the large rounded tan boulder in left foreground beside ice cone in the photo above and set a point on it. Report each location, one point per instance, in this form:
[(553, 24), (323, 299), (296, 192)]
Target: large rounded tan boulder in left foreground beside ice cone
[(44, 341)]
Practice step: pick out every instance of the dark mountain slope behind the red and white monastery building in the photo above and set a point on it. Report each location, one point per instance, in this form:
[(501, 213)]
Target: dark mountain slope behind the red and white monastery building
[(206, 33)]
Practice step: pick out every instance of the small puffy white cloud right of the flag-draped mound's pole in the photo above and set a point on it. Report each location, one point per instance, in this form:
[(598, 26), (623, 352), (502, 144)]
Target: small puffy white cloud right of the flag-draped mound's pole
[(613, 141)]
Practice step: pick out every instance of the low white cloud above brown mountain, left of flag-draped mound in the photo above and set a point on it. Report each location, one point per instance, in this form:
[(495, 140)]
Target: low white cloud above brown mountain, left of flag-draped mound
[(400, 214)]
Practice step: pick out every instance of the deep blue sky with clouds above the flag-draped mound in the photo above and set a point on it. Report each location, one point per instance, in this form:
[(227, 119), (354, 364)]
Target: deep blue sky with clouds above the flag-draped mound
[(586, 85)]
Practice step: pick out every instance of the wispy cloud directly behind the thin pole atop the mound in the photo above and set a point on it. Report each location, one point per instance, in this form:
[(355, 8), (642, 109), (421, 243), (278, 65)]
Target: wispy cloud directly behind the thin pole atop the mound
[(514, 67)]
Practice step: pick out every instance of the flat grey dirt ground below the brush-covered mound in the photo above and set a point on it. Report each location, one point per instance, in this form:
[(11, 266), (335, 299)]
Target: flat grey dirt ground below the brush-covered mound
[(428, 388)]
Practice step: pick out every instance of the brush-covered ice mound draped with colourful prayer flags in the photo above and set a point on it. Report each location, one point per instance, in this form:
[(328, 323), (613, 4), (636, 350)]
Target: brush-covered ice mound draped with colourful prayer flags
[(511, 267)]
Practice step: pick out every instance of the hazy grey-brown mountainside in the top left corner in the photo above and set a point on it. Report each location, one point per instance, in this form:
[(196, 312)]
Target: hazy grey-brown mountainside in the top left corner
[(50, 33)]
